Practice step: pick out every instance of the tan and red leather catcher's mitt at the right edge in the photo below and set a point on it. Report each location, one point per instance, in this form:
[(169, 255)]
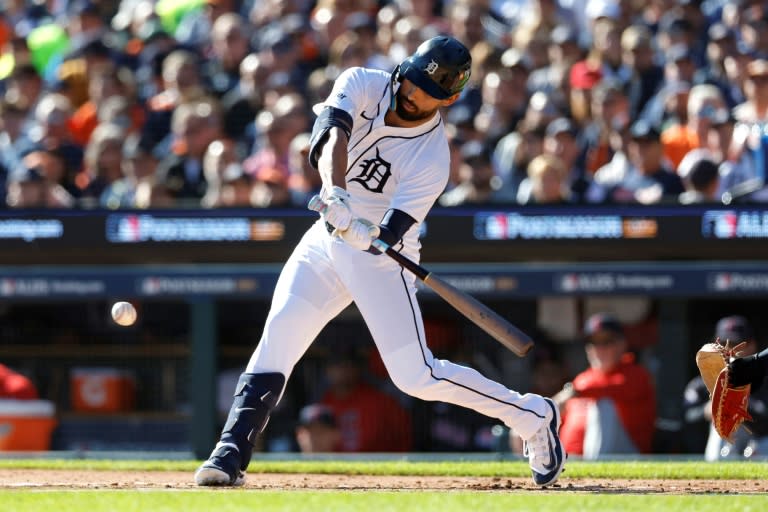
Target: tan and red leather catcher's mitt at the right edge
[(729, 404)]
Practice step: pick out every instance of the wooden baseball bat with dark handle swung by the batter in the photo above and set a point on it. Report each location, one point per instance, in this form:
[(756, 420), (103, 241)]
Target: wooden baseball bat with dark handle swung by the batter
[(474, 310)]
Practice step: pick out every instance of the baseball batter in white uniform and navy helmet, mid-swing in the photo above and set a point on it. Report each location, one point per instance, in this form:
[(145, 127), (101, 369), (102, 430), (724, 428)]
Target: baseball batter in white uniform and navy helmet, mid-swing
[(380, 146)]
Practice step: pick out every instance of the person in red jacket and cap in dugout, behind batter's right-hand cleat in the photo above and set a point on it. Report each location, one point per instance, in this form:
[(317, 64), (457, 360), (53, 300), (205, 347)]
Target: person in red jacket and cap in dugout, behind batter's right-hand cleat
[(609, 408)]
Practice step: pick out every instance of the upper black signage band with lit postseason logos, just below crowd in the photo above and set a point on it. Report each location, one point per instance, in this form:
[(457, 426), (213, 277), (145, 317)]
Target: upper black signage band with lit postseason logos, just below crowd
[(479, 234)]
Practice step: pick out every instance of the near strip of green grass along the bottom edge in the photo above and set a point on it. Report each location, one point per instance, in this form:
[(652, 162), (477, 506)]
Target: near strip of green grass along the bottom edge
[(226, 501)]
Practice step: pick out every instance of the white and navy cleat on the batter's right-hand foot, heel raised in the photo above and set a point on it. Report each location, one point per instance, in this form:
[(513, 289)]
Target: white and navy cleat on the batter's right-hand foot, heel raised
[(545, 453)]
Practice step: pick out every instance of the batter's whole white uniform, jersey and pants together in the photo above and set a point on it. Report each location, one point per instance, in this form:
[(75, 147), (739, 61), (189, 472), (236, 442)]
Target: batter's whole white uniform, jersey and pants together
[(388, 167)]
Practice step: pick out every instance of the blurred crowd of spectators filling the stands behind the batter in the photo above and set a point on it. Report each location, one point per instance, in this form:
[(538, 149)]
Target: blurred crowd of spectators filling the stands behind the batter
[(208, 103)]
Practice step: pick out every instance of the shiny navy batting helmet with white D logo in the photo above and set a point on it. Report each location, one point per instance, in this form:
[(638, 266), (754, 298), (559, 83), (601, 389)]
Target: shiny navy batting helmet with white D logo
[(440, 66)]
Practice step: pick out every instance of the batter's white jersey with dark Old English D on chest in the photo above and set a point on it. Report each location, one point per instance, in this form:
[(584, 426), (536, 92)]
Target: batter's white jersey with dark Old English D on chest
[(388, 167)]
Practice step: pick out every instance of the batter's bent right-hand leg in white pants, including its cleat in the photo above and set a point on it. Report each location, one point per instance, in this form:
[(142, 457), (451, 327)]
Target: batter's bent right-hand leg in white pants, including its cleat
[(387, 301)]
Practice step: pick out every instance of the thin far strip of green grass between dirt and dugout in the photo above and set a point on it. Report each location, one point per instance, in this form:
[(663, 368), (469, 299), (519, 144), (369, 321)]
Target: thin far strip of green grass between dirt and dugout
[(575, 469)]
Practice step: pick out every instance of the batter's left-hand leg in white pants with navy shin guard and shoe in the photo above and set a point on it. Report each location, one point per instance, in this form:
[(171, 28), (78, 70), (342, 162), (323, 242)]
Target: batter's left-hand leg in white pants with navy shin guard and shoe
[(307, 296)]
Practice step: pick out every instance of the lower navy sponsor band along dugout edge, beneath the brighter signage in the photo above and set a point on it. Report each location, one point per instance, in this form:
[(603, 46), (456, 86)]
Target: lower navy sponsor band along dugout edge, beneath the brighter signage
[(674, 279)]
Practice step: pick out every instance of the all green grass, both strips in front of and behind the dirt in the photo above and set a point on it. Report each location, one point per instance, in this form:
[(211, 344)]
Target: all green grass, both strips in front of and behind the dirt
[(560, 499)]
